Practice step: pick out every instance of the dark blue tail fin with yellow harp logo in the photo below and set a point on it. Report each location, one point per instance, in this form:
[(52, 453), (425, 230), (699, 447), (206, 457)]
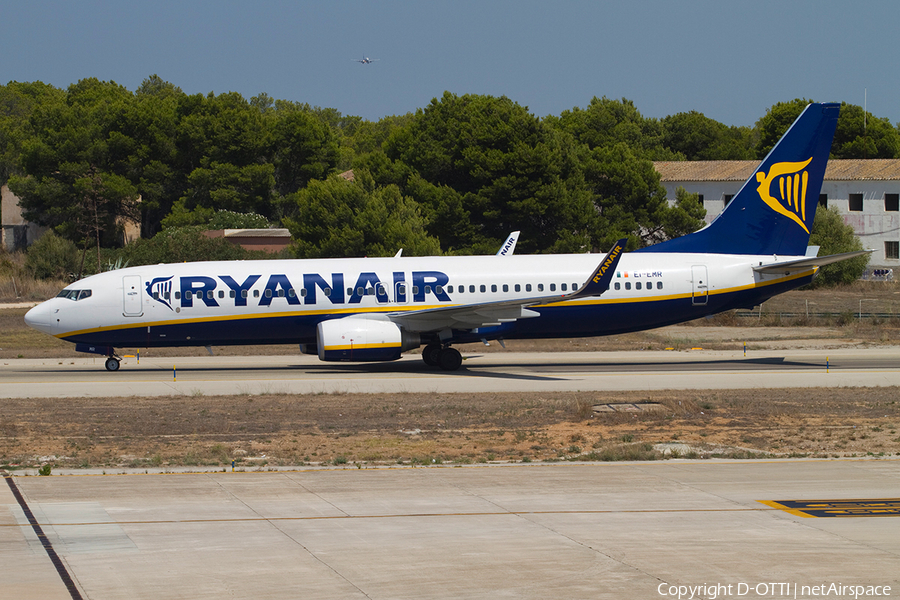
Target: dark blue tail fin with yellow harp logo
[(774, 209)]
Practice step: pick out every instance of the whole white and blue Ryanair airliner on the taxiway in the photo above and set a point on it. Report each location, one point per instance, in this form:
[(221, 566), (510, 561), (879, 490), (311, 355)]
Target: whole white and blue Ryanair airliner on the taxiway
[(373, 309)]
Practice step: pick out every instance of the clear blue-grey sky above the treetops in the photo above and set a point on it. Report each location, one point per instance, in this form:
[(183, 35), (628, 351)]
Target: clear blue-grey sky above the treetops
[(730, 60)]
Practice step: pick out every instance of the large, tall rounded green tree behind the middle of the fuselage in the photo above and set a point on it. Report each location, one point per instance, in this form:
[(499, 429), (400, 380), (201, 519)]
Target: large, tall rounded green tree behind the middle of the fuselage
[(509, 170)]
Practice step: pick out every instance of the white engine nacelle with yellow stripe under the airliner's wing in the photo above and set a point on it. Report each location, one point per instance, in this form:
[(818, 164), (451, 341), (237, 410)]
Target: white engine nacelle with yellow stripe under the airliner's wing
[(363, 339)]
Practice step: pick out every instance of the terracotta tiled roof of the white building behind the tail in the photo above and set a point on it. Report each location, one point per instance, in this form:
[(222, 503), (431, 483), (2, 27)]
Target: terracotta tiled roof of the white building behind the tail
[(740, 170)]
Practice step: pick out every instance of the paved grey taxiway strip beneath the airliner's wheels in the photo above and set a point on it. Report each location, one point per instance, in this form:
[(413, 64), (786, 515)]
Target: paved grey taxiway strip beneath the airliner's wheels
[(569, 371)]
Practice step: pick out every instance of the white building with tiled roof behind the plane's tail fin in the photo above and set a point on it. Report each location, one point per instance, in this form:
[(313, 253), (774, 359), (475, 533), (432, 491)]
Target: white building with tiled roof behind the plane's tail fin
[(866, 192)]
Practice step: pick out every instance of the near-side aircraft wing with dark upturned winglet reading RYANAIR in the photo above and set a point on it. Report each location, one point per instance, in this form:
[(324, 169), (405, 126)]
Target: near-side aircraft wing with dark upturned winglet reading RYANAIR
[(490, 314)]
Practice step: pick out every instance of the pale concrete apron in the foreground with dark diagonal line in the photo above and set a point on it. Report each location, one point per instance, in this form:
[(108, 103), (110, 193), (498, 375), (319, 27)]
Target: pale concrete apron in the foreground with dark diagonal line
[(621, 530)]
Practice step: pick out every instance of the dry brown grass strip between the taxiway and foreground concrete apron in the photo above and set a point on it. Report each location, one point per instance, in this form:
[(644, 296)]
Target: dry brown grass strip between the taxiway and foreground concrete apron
[(425, 429)]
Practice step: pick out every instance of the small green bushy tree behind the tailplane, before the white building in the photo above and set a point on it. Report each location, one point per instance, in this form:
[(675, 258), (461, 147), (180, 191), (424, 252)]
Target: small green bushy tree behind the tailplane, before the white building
[(833, 236)]
